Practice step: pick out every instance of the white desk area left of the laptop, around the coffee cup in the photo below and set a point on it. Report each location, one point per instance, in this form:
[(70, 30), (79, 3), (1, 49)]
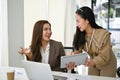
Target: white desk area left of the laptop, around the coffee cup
[(20, 73)]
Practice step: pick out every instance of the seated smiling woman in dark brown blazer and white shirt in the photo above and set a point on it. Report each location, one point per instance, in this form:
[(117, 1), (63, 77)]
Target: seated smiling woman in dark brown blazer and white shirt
[(42, 48)]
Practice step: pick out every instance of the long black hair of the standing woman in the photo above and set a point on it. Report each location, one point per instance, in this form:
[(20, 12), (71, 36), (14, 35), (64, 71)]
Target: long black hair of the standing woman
[(79, 38)]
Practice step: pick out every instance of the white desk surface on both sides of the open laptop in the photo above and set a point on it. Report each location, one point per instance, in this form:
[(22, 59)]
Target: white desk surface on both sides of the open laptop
[(20, 74)]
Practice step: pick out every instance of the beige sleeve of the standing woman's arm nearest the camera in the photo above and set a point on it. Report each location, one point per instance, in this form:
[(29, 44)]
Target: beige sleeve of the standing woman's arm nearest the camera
[(104, 53)]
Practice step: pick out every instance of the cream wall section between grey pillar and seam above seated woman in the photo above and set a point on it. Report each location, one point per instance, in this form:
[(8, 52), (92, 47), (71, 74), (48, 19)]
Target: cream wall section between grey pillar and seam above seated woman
[(34, 10)]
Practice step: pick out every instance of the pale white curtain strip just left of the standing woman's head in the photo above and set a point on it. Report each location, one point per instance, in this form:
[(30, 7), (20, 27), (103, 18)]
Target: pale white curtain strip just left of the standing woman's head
[(70, 25)]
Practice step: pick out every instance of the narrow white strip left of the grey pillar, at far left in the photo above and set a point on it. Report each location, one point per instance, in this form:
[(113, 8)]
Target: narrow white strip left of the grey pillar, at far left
[(3, 34)]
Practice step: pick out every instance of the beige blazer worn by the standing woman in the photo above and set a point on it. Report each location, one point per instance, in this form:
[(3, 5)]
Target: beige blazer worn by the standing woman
[(100, 50)]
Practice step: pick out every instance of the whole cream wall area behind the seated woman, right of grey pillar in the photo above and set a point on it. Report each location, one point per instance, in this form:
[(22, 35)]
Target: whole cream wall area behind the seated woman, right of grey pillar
[(35, 10)]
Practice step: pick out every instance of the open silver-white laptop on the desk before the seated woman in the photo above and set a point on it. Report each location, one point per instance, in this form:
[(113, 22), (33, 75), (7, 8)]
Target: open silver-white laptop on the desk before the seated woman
[(39, 71)]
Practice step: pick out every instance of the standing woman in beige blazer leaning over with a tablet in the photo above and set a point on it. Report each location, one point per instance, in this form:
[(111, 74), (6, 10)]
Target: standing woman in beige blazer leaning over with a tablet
[(96, 42)]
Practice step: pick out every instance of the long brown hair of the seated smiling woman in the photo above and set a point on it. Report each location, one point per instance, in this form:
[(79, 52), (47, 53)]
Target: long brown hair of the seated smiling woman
[(37, 40)]
